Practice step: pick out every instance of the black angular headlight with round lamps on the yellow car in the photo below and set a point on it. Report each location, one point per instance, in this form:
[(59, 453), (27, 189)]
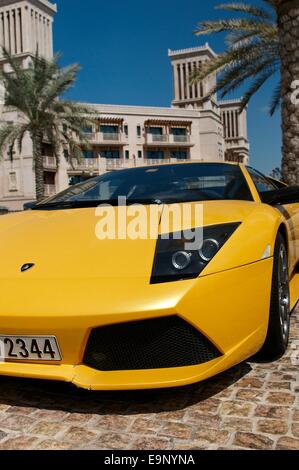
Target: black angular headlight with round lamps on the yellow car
[(174, 261)]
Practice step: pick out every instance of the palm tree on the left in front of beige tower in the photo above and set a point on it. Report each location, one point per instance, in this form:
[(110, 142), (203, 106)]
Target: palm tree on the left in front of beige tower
[(35, 92)]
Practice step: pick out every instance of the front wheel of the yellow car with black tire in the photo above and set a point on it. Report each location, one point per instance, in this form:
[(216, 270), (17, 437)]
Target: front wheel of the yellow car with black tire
[(277, 339)]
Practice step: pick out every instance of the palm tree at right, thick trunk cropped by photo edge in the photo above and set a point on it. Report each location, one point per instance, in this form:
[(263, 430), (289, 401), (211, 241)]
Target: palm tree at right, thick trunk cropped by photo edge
[(262, 43)]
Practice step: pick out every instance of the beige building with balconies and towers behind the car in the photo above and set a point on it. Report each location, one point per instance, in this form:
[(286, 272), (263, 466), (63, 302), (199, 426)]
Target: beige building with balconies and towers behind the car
[(192, 128)]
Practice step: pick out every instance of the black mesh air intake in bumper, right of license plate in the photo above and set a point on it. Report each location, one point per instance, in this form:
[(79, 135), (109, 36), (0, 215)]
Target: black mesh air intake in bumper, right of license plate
[(149, 344)]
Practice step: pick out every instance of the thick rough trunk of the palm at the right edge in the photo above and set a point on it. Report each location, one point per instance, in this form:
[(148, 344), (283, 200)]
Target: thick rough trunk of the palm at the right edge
[(288, 22)]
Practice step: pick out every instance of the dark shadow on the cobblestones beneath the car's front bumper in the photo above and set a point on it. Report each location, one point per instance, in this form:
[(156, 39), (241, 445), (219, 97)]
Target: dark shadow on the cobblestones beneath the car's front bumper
[(47, 395)]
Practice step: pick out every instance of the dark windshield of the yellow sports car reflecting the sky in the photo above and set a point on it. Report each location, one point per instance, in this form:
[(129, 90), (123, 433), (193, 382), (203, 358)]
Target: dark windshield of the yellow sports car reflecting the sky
[(157, 184)]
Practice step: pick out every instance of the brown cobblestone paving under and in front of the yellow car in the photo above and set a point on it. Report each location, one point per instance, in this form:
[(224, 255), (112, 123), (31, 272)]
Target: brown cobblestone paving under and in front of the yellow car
[(253, 406)]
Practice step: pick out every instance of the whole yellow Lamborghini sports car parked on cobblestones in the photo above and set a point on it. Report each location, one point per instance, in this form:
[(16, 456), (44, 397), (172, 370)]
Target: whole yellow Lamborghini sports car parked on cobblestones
[(152, 277)]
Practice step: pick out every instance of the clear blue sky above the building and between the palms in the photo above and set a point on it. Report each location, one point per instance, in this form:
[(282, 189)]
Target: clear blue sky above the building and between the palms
[(122, 49)]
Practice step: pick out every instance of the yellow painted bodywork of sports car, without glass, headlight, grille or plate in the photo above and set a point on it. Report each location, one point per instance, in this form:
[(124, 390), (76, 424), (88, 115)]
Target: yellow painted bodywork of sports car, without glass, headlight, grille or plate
[(80, 283)]
